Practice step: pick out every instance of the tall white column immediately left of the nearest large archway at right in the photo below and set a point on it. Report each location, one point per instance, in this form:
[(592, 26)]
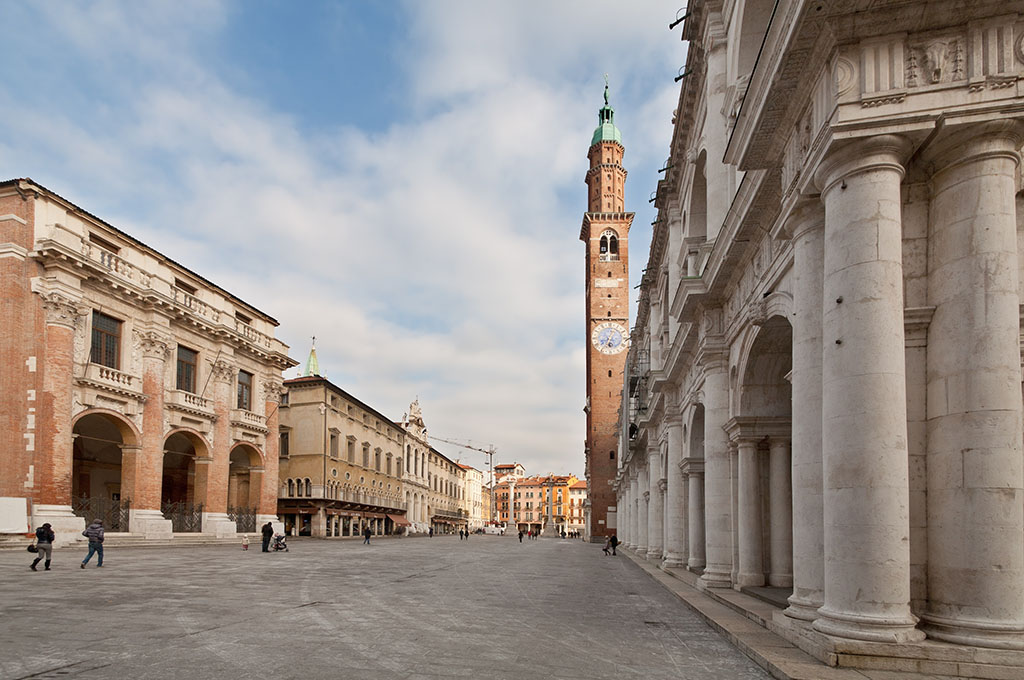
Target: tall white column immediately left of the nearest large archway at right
[(718, 483)]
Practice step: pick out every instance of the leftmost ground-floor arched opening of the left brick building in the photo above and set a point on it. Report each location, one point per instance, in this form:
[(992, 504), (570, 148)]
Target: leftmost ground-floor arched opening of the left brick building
[(99, 441)]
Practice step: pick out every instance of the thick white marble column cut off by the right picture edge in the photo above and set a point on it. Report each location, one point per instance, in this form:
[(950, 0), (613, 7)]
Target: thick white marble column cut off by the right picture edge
[(975, 465)]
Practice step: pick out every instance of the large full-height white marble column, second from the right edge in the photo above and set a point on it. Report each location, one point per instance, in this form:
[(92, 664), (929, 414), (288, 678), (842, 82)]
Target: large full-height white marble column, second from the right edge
[(864, 406)]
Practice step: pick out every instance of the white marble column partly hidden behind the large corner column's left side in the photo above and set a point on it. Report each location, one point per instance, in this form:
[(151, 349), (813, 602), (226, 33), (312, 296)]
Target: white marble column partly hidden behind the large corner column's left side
[(806, 224)]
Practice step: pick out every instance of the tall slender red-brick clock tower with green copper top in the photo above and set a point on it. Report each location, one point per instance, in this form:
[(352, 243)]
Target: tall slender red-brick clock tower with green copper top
[(606, 233)]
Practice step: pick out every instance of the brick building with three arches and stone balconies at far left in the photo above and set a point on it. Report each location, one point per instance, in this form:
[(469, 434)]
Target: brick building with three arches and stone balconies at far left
[(132, 389)]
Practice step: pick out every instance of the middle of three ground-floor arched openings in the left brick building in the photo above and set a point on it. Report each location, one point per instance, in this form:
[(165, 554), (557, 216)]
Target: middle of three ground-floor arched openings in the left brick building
[(184, 484)]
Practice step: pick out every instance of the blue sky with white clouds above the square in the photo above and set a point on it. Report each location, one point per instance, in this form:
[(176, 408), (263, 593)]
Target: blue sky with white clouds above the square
[(405, 181)]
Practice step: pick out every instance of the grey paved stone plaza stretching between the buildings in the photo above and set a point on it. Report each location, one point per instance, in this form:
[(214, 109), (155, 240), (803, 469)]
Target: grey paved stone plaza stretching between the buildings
[(490, 608)]
